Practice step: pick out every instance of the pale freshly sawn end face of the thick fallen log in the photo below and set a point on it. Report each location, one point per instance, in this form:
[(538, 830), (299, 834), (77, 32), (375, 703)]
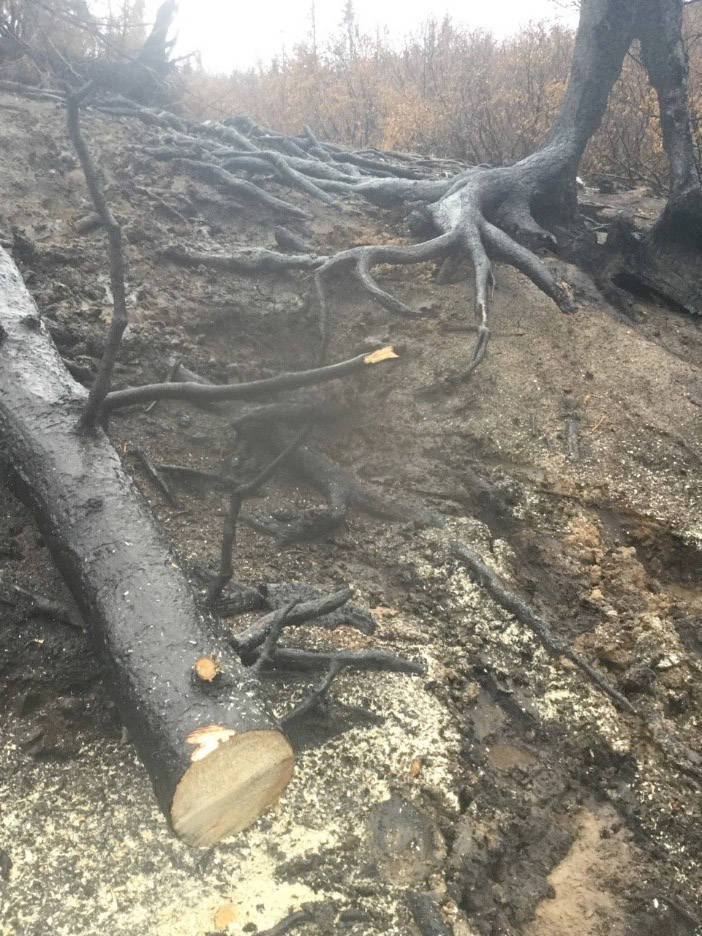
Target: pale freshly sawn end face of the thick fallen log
[(232, 779)]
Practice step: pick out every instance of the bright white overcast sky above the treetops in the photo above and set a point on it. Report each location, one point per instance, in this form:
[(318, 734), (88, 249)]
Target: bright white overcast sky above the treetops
[(232, 34)]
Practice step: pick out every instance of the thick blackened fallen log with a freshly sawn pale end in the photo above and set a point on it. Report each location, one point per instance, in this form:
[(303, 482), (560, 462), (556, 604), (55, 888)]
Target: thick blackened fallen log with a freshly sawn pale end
[(215, 757)]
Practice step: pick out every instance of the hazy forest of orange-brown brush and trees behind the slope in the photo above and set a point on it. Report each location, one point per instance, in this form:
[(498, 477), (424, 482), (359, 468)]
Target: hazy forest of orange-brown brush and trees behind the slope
[(447, 90)]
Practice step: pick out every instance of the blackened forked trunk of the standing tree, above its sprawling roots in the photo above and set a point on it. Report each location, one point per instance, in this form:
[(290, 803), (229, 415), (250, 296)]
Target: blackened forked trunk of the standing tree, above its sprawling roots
[(666, 262)]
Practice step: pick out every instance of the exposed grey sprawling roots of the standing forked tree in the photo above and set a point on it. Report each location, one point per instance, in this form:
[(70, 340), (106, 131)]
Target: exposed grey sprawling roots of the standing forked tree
[(482, 214)]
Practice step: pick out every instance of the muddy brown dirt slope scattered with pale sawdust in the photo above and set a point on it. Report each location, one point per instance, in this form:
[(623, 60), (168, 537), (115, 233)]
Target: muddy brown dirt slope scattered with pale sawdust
[(503, 781)]
